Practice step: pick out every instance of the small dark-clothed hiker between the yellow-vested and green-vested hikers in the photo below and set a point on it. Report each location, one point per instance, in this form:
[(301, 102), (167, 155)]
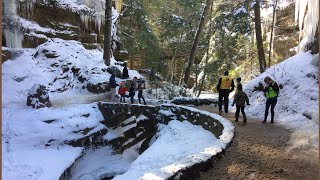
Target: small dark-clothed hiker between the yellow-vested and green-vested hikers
[(240, 99)]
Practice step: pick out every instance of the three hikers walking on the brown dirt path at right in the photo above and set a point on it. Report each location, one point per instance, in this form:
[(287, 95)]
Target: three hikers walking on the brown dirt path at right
[(226, 85)]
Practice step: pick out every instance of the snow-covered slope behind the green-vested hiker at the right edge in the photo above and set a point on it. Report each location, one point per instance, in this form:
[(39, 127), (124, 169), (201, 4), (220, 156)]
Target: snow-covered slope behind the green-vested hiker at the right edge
[(298, 101)]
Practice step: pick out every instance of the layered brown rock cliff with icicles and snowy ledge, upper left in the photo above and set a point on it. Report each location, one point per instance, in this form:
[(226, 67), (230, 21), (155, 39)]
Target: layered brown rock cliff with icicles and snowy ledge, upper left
[(35, 21)]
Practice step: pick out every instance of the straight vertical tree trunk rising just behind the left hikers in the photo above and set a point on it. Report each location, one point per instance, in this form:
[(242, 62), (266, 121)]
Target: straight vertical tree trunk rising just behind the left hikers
[(107, 33)]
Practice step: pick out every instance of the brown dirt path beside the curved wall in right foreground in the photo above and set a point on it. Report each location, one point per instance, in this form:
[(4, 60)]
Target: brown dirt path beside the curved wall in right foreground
[(259, 151)]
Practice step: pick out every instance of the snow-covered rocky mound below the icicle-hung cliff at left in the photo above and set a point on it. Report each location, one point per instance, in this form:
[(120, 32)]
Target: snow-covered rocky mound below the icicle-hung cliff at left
[(54, 65)]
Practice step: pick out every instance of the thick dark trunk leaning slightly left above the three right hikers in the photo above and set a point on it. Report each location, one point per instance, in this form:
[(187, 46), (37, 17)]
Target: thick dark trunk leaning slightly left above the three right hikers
[(257, 21)]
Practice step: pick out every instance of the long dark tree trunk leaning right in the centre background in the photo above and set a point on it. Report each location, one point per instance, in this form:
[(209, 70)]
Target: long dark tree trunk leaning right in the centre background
[(196, 41)]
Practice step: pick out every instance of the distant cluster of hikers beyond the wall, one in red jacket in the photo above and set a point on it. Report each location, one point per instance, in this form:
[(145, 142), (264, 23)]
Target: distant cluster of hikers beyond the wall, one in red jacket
[(124, 91)]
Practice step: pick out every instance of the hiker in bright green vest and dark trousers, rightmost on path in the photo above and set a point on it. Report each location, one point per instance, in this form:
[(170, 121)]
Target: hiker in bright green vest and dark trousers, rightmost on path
[(271, 93)]
